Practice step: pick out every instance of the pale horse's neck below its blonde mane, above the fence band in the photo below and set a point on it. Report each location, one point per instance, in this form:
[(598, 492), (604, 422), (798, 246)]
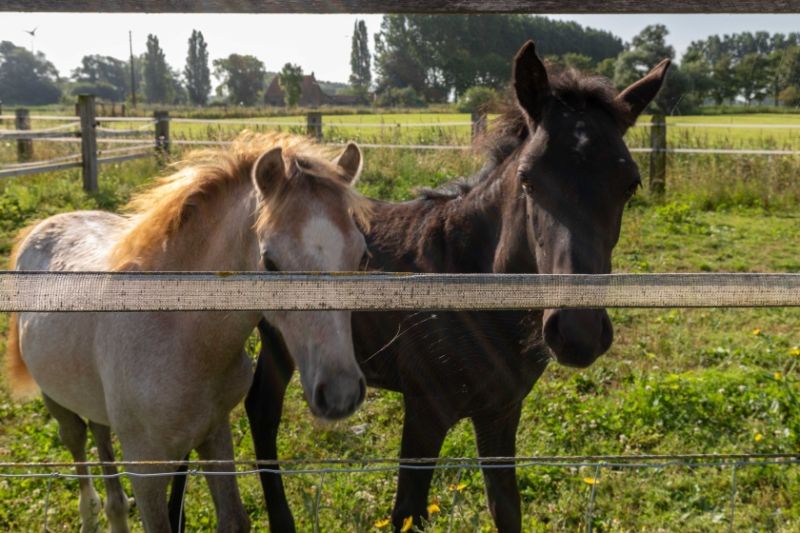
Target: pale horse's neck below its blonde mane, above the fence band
[(218, 235)]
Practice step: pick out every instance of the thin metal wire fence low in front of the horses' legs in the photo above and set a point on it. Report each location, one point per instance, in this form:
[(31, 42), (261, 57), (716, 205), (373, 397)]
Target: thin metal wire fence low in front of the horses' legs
[(54, 473)]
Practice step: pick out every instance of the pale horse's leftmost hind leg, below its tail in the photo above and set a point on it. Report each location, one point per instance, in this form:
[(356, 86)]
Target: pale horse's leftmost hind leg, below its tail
[(72, 430)]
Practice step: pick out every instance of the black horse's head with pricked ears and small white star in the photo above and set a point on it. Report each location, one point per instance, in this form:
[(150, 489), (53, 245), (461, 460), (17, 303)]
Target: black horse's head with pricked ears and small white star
[(578, 175)]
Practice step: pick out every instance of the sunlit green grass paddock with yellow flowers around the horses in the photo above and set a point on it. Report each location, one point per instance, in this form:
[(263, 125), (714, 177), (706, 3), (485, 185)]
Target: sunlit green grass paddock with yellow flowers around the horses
[(675, 381)]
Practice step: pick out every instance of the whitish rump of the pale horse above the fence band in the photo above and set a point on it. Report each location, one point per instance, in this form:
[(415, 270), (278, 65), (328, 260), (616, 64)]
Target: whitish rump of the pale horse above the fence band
[(81, 240)]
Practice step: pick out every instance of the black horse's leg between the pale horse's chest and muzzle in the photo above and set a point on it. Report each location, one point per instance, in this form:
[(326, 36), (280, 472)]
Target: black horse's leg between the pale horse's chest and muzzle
[(264, 405)]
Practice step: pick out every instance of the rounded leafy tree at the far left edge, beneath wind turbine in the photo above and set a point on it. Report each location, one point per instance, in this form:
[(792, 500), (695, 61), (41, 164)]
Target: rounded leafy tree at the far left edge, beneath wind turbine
[(26, 78)]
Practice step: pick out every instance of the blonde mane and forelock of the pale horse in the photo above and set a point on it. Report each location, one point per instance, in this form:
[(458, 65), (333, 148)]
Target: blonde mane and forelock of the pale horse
[(158, 212)]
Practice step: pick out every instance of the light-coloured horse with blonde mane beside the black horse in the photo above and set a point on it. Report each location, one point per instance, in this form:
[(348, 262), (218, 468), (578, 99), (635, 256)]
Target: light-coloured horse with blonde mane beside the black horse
[(165, 383)]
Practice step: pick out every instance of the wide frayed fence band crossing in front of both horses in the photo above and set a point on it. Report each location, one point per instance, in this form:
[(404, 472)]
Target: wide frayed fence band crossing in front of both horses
[(182, 291)]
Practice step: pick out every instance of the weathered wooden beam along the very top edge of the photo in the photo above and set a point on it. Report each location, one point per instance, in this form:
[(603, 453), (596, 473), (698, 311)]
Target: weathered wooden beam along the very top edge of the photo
[(406, 6)]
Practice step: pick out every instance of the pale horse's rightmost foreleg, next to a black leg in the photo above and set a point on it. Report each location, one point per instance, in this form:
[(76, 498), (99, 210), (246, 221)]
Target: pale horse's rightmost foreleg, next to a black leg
[(231, 516)]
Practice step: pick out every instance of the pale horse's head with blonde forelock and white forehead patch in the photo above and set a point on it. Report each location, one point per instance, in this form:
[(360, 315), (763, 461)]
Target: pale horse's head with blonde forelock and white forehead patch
[(308, 222)]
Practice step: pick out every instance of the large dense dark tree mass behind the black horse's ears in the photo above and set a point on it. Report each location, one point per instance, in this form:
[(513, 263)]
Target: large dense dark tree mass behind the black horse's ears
[(440, 55)]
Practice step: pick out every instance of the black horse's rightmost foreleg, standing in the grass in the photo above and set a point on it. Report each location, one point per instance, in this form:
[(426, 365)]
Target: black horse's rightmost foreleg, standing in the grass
[(496, 437)]
